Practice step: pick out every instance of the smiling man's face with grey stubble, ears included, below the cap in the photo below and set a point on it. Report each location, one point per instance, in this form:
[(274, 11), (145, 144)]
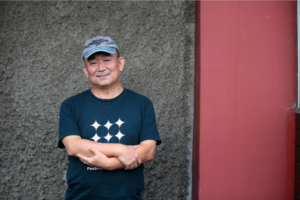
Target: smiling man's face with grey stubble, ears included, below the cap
[(103, 69)]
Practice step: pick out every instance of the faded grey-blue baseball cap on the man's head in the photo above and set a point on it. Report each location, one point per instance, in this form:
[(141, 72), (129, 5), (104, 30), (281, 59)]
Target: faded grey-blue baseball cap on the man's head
[(99, 44)]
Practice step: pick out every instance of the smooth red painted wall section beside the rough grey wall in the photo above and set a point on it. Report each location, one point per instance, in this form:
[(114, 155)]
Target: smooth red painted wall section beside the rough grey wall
[(247, 92)]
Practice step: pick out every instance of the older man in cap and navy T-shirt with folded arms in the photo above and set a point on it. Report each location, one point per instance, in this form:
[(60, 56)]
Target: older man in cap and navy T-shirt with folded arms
[(108, 131)]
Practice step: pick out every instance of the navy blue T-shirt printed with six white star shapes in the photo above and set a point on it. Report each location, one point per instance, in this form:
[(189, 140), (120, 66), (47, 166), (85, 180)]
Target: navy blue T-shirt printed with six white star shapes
[(127, 119)]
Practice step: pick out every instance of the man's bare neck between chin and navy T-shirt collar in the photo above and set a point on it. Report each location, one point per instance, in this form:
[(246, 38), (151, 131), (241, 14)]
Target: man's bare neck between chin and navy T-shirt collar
[(107, 92)]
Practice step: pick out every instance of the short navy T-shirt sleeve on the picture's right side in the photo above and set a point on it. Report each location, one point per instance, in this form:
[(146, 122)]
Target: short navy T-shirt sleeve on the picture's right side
[(149, 127)]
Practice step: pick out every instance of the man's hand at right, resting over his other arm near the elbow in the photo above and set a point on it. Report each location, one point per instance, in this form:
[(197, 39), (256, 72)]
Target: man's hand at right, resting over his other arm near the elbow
[(129, 157)]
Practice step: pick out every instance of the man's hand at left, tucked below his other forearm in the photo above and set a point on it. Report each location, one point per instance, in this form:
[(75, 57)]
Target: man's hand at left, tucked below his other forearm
[(98, 160)]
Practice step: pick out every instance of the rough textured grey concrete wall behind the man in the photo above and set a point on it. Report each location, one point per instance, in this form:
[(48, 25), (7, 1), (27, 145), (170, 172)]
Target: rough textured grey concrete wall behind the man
[(40, 66)]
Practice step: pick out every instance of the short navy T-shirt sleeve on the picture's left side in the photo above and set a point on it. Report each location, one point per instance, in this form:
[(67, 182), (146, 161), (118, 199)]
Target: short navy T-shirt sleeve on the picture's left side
[(67, 122)]
